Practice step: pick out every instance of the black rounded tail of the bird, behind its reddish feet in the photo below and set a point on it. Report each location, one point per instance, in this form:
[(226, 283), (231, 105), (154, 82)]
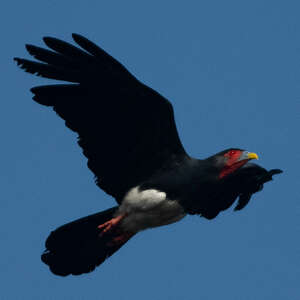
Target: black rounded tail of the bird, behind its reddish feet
[(80, 246)]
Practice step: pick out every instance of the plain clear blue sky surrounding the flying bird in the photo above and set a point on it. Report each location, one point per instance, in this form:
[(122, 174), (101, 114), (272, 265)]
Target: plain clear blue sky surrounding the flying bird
[(232, 71)]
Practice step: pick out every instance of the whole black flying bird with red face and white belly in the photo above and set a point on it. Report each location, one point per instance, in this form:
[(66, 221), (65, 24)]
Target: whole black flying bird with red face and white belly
[(128, 133)]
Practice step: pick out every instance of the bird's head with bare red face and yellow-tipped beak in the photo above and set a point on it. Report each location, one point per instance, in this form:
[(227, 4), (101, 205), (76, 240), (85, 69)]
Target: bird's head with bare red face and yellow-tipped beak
[(232, 159)]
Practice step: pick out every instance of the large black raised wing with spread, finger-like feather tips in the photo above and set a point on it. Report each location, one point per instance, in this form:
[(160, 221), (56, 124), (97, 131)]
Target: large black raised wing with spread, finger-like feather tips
[(126, 130)]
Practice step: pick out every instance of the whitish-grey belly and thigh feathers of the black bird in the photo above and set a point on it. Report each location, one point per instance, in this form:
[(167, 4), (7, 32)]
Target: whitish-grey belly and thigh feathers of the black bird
[(148, 208)]
